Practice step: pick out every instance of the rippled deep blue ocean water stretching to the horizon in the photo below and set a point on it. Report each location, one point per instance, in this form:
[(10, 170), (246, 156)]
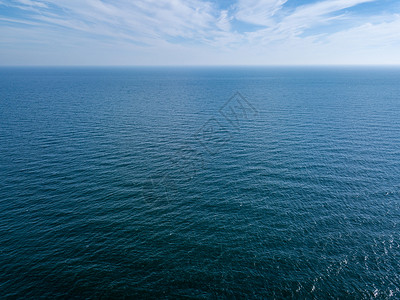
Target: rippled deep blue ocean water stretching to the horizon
[(200, 183)]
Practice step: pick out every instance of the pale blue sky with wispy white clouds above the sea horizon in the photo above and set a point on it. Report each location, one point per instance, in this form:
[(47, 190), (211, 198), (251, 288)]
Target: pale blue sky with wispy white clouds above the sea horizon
[(199, 32)]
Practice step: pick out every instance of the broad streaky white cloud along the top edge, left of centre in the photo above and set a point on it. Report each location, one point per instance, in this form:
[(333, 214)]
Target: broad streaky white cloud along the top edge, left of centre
[(147, 18)]
